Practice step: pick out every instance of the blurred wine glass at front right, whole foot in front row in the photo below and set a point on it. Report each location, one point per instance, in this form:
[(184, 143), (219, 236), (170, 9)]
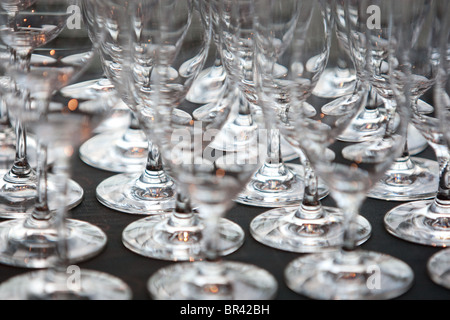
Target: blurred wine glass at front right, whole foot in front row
[(351, 273)]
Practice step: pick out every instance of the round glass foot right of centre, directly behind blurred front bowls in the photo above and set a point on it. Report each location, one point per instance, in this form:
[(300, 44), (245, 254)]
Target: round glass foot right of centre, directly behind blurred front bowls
[(276, 190)]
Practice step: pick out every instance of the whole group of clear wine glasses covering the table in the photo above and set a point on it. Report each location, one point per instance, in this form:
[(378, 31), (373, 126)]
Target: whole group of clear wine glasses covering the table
[(270, 56)]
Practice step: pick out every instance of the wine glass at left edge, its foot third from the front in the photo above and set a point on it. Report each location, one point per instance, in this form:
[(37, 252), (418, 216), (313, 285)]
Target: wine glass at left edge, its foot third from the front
[(22, 33)]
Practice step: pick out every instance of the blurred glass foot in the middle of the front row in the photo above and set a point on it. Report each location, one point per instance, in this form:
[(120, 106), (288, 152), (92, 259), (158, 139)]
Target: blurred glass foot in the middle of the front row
[(203, 280)]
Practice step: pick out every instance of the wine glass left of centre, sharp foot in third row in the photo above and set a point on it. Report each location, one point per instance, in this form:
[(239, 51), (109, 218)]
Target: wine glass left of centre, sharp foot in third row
[(153, 191)]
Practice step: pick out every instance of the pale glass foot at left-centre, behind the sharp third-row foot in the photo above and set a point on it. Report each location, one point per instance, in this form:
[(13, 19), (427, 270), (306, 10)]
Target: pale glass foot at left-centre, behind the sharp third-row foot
[(122, 152)]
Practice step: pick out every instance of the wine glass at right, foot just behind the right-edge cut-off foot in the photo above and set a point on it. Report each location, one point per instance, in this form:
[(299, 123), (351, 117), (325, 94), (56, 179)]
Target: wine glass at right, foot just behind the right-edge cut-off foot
[(409, 178)]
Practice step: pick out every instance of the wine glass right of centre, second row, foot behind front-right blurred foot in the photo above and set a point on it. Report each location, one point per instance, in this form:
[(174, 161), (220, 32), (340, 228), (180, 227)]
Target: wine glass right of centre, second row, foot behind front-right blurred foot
[(309, 227)]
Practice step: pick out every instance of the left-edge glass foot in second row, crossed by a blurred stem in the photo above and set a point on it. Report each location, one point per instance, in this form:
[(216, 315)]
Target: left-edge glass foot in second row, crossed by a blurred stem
[(32, 244)]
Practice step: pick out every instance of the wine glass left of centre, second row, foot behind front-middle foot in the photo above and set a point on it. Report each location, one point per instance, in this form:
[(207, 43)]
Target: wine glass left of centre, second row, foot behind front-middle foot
[(176, 234)]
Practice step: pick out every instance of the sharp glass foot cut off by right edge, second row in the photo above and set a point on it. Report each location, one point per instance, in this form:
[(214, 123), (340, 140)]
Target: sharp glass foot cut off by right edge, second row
[(419, 222)]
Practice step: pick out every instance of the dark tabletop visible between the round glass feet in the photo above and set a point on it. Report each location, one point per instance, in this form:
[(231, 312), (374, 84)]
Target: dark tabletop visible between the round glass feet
[(115, 259)]
